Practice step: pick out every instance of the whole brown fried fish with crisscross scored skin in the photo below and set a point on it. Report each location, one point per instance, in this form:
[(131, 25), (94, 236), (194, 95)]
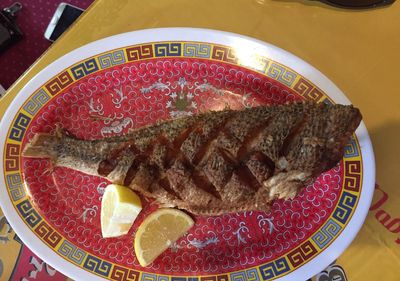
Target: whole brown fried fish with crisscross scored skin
[(215, 162)]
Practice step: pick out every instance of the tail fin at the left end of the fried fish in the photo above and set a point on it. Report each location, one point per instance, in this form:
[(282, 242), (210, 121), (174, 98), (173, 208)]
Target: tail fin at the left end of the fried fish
[(41, 146)]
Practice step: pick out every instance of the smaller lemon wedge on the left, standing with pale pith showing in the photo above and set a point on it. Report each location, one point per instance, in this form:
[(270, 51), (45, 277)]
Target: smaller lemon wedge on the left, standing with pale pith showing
[(119, 208)]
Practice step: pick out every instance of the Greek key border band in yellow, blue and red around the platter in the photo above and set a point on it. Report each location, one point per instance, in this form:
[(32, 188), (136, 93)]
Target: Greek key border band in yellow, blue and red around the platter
[(352, 180)]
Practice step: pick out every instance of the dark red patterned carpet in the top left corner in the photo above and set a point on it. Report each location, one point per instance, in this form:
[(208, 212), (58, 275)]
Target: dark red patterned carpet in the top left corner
[(33, 20)]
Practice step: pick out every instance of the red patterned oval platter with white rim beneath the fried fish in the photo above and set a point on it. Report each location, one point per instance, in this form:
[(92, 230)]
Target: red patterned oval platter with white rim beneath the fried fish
[(134, 79)]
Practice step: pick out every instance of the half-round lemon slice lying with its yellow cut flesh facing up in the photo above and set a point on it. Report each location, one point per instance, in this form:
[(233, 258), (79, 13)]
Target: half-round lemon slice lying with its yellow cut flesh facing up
[(158, 231)]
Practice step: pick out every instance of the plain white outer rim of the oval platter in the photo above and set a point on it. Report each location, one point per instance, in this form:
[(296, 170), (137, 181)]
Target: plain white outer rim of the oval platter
[(309, 269)]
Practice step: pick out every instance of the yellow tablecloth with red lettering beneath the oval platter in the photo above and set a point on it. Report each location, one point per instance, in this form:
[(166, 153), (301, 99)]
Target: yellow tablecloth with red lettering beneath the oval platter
[(357, 50)]
